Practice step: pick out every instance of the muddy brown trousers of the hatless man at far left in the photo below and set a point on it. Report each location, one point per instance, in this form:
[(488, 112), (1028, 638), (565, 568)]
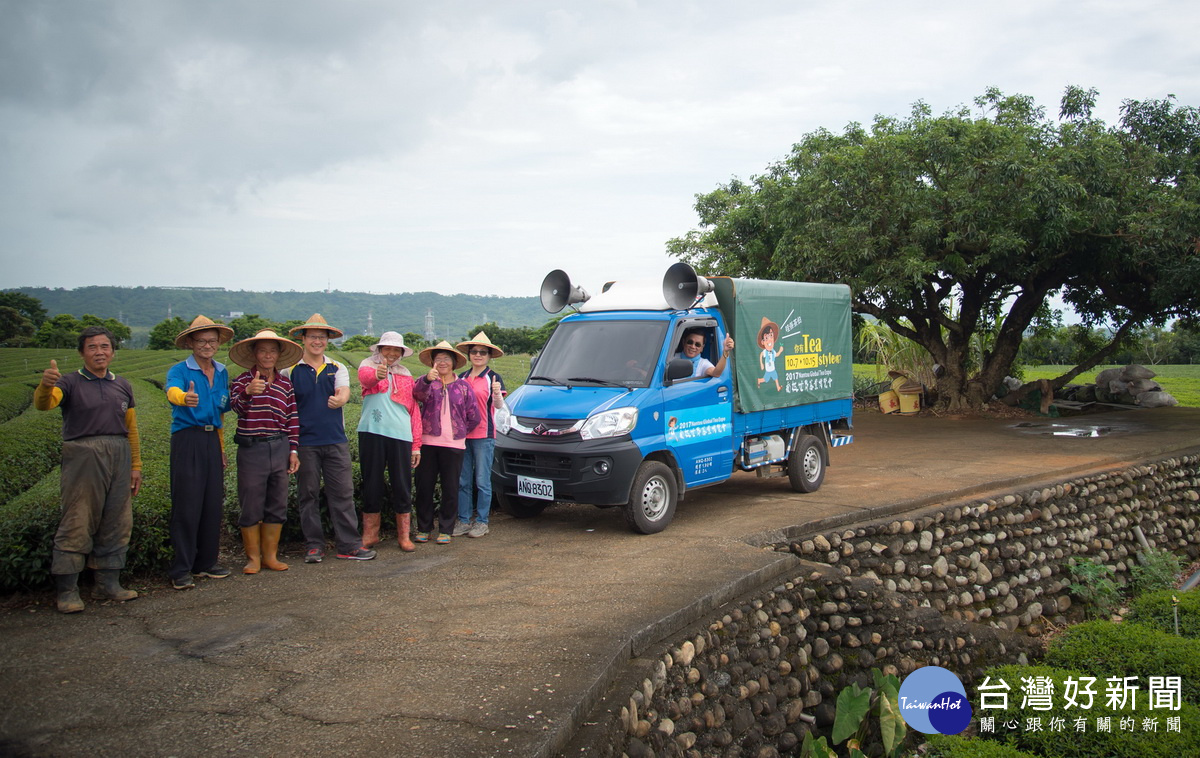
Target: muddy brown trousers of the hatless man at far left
[(98, 514)]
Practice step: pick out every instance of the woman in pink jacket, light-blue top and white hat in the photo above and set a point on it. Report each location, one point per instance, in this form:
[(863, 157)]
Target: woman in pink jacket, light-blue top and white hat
[(389, 438)]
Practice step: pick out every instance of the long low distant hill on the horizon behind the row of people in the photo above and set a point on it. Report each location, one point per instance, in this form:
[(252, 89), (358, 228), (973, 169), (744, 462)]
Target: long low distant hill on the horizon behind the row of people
[(146, 306)]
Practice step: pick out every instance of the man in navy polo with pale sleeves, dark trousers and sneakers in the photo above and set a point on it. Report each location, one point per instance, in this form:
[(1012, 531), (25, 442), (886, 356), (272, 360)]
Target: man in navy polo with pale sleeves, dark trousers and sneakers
[(322, 387)]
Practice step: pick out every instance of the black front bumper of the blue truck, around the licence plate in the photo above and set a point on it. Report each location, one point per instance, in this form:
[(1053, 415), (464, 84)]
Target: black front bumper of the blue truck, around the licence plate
[(597, 472)]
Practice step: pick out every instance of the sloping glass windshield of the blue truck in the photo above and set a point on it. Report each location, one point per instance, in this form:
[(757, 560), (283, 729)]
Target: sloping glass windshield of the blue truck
[(602, 353)]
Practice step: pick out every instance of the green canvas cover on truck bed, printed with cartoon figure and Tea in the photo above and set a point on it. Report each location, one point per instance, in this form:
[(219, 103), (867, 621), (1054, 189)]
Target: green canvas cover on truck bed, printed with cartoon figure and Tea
[(794, 342)]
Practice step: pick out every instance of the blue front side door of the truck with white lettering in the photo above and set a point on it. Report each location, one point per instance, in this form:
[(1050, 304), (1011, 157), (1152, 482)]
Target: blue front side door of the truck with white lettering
[(699, 413)]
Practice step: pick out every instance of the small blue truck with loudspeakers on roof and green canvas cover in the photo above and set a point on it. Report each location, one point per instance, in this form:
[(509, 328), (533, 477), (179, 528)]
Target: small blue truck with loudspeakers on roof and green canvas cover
[(632, 402)]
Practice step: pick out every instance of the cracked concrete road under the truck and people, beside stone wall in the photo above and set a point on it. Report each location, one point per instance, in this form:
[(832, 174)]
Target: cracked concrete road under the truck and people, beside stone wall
[(491, 647)]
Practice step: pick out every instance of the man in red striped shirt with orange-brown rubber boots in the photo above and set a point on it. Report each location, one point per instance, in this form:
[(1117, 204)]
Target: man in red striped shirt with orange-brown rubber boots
[(268, 440)]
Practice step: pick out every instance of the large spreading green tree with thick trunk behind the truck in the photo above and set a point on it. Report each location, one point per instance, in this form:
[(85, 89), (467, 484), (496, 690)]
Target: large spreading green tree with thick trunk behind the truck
[(955, 227)]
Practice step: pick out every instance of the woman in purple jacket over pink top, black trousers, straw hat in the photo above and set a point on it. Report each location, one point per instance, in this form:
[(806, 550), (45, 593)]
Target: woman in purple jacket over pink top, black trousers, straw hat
[(449, 413)]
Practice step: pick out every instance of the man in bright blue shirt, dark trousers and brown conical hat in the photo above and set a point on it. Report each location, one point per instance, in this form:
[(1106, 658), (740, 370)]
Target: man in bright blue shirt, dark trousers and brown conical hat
[(199, 393)]
